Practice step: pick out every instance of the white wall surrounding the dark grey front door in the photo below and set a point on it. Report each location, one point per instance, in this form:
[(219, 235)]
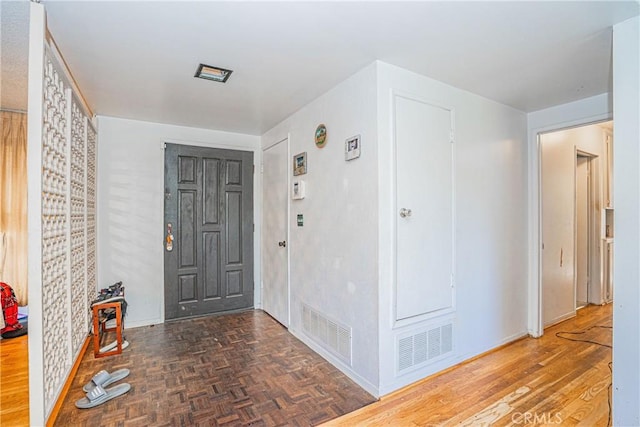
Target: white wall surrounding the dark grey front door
[(131, 207)]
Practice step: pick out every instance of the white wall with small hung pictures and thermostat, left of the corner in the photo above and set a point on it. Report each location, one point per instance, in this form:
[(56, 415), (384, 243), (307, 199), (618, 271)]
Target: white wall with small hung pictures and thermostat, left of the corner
[(334, 255)]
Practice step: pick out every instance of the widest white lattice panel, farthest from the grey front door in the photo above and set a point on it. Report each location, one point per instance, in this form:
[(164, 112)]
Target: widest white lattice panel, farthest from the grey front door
[(55, 279)]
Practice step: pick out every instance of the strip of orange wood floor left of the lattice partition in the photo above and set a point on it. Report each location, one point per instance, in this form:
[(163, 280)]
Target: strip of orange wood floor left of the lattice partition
[(14, 382)]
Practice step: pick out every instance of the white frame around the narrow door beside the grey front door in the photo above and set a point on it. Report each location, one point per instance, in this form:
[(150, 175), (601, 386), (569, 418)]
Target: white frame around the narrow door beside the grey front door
[(286, 139)]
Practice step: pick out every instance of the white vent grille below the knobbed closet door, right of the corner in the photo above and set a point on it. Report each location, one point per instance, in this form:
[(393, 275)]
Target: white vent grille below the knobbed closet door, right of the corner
[(424, 347)]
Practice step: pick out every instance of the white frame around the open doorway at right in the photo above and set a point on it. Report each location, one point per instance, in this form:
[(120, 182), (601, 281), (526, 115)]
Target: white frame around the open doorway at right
[(535, 320)]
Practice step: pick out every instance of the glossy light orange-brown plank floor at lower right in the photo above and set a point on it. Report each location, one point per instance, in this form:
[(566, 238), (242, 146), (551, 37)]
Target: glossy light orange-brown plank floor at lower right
[(549, 381)]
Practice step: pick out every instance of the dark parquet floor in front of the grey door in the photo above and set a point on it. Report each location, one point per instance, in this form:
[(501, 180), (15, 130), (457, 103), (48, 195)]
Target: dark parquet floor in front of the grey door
[(237, 369)]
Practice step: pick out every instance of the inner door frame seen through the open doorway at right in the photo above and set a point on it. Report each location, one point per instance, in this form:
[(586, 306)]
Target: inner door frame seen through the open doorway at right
[(590, 223)]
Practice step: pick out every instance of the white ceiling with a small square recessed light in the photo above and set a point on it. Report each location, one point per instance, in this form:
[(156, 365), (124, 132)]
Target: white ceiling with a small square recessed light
[(137, 59)]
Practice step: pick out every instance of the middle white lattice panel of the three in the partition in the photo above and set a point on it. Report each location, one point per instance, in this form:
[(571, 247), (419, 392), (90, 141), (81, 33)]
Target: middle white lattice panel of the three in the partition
[(79, 308)]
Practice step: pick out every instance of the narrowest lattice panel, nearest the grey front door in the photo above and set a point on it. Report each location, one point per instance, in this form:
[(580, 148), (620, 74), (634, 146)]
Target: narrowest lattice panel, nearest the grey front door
[(91, 214)]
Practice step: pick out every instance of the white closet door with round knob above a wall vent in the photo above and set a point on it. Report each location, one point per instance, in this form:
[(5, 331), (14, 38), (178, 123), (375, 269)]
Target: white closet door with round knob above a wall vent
[(424, 208)]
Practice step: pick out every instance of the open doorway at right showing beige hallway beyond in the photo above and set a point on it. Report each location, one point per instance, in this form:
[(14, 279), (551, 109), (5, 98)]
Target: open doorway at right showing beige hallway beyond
[(575, 200)]
